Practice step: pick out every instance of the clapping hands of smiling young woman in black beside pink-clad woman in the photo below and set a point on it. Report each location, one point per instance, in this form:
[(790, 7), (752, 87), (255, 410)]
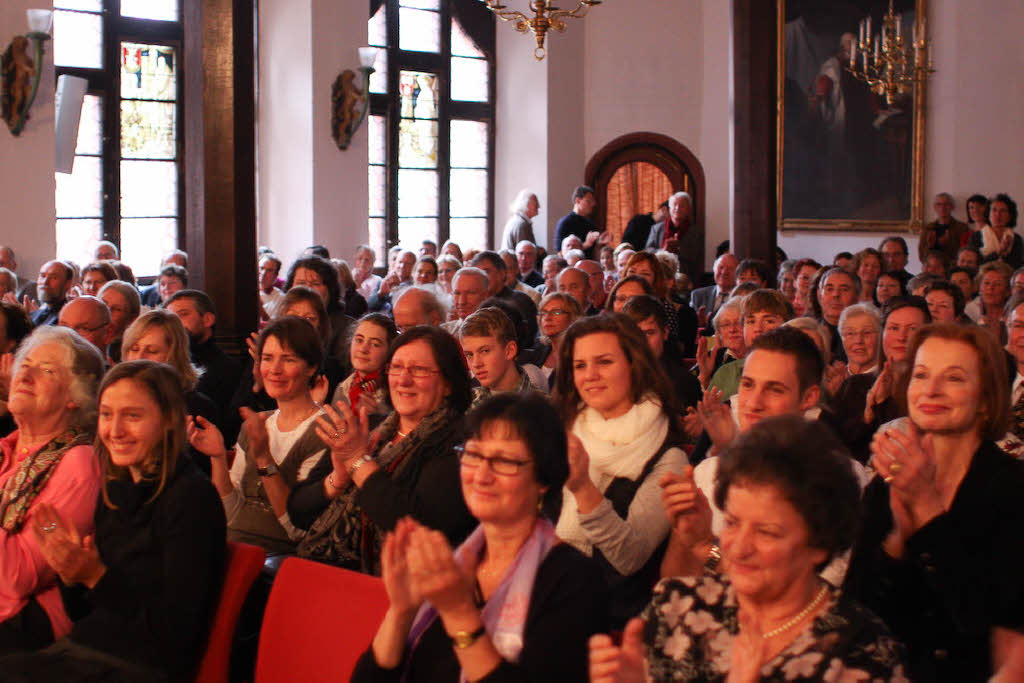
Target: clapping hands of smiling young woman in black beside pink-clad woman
[(75, 560)]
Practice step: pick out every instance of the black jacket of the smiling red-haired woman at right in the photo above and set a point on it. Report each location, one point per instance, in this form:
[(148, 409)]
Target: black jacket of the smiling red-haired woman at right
[(961, 574)]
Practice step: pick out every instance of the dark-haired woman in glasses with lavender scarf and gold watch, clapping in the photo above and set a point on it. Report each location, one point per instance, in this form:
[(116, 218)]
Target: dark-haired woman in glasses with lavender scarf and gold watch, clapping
[(510, 604)]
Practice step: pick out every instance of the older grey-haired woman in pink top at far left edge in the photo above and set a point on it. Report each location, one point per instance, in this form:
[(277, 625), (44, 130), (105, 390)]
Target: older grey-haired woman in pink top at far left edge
[(48, 462)]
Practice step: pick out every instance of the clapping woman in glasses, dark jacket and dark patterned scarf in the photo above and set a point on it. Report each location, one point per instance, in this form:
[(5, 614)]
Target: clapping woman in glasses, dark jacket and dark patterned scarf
[(405, 467)]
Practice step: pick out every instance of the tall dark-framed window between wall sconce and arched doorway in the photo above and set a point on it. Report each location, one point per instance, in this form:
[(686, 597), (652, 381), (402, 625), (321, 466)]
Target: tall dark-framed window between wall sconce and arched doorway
[(432, 123)]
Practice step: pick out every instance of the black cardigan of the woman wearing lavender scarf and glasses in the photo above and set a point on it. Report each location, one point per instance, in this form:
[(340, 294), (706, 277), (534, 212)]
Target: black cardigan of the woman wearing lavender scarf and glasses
[(567, 608)]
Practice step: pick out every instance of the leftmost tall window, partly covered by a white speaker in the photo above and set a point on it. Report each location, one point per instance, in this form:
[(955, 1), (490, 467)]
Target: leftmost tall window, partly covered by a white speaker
[(127, 183)]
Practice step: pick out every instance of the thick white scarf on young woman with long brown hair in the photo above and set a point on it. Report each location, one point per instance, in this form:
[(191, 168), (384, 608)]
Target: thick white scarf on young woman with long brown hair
[(617, 448)]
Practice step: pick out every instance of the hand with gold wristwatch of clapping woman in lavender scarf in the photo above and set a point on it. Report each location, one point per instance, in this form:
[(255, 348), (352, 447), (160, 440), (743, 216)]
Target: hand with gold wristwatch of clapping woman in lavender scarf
[(436, 576)]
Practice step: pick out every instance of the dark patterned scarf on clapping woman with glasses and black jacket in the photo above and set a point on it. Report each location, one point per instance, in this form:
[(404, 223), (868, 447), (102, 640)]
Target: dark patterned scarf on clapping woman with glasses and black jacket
[(344, 535)]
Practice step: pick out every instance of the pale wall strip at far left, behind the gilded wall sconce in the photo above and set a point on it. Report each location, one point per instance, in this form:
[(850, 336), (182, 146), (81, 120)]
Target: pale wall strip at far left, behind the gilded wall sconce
[(27, 214)]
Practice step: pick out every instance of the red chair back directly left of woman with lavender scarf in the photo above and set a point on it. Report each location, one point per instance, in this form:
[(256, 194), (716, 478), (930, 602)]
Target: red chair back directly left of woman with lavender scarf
[(318, 622)]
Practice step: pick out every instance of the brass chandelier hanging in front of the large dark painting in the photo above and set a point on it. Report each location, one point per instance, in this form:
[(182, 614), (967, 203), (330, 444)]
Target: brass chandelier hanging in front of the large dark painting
[(884, 63)]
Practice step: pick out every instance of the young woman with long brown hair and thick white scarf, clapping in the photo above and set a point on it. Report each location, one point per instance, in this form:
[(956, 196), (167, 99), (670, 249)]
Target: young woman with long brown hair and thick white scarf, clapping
[(624, 423)]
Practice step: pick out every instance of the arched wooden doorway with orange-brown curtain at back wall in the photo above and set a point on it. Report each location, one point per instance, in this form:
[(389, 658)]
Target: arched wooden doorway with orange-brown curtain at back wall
[(635, 174)]
